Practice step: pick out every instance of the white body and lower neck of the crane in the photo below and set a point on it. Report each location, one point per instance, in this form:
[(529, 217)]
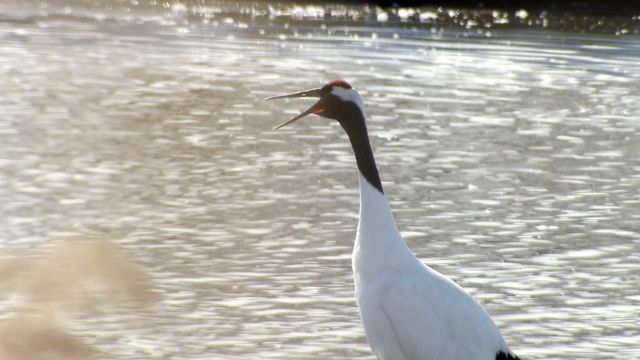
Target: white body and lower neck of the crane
[(410, 311)]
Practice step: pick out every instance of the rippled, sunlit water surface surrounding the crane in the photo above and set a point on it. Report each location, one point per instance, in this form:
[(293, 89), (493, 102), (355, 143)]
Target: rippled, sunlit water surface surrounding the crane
[(511, 160)]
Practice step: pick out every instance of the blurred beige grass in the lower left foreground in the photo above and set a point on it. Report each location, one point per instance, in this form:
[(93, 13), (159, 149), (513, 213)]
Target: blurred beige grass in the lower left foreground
[(46, 289)]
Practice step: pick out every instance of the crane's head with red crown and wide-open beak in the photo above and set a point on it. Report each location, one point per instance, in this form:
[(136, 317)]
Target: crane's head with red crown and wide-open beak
[(338, 101)]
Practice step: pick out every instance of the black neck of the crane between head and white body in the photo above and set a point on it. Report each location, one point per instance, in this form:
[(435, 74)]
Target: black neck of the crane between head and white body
[(354, 124)]
